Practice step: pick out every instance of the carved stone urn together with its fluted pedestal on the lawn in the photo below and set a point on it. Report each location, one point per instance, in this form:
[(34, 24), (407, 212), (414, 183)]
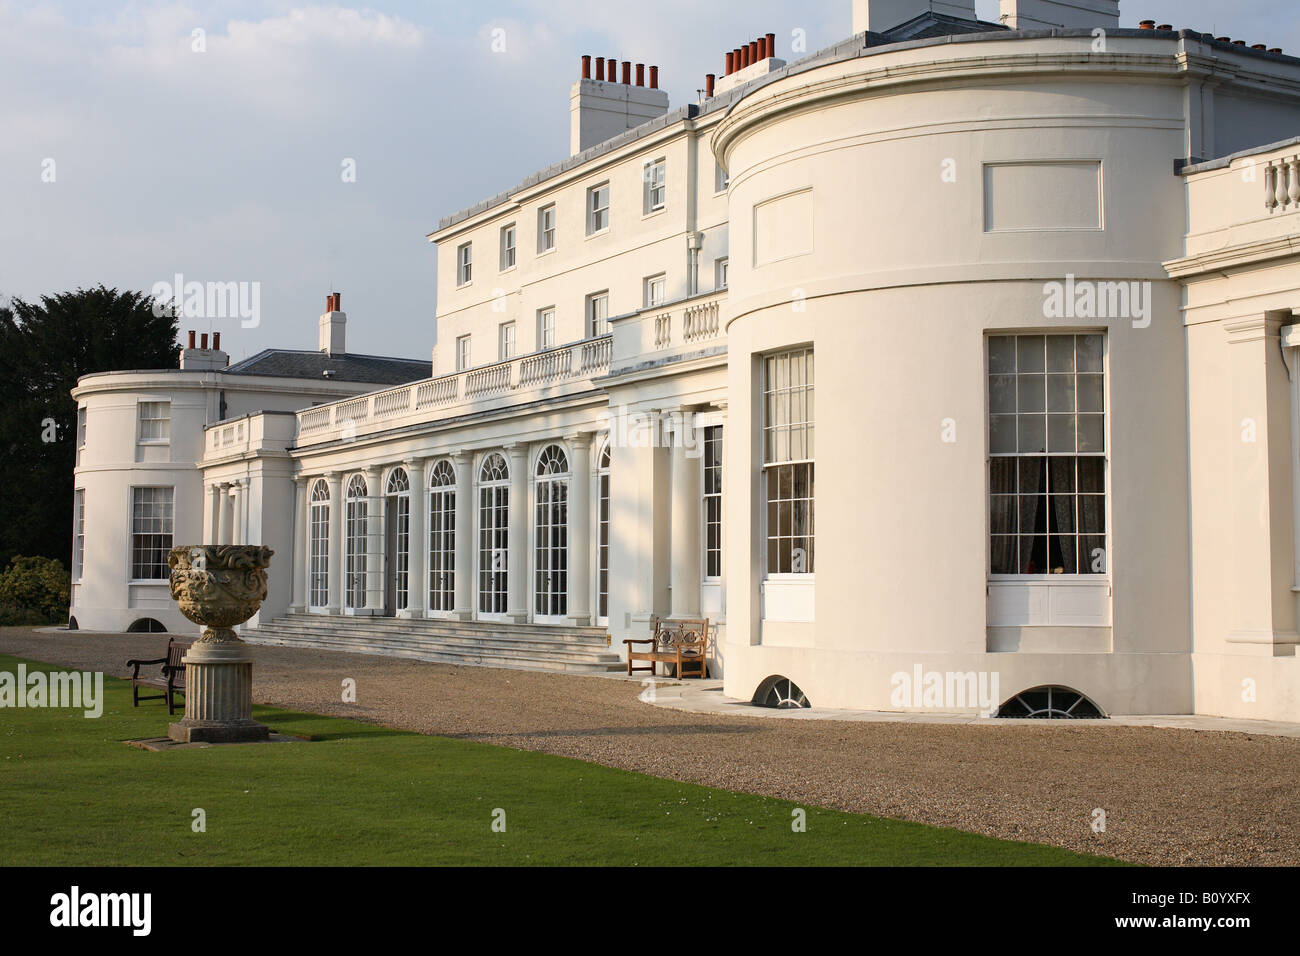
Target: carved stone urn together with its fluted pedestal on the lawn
[(219, 587)]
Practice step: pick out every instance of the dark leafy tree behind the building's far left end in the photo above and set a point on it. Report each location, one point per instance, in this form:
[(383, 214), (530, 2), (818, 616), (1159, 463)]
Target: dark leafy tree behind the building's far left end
[(45, 349)]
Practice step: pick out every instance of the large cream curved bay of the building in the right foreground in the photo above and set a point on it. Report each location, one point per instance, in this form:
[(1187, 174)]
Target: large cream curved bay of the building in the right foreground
[(1009, 174)]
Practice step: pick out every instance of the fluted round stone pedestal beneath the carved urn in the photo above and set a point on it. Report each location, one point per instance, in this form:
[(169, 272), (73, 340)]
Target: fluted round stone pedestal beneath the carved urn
[(219, 697)]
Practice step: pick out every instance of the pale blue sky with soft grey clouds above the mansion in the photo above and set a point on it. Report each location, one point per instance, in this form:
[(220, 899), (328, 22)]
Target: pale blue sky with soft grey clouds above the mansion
[(311, 148)]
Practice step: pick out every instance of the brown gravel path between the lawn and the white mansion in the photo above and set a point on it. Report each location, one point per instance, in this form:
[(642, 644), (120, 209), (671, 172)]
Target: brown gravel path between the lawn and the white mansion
[(1172, 797)]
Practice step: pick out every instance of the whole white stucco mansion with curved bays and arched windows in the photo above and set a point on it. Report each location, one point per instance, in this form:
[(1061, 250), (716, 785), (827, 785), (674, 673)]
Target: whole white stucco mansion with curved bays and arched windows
[(957, 348)]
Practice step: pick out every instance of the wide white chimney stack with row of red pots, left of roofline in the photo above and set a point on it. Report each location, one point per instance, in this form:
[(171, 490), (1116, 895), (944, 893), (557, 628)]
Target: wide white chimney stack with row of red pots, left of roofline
[(603, 109)]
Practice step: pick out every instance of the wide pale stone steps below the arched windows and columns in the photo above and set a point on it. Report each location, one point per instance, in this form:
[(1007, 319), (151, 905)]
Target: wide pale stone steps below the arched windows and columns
[(522, 647)]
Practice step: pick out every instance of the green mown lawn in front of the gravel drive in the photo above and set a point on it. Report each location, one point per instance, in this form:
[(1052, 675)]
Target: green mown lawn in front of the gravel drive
[(73, 794)]
